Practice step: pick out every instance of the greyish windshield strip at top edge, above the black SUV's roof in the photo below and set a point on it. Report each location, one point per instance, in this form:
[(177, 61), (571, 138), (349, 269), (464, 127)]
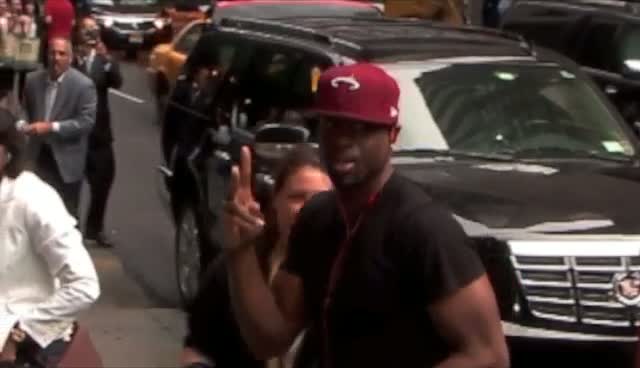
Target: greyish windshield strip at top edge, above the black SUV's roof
[(274, 11)]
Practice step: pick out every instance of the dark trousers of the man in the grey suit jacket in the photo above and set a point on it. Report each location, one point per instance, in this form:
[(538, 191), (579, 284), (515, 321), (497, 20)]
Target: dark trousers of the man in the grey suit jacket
[(47, 170)]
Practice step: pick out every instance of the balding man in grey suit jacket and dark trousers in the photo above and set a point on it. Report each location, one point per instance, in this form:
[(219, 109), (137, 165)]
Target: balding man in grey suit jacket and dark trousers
[(59, 110)]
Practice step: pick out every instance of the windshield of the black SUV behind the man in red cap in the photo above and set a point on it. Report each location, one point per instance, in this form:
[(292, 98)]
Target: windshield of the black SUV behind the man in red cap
[(535, 111)]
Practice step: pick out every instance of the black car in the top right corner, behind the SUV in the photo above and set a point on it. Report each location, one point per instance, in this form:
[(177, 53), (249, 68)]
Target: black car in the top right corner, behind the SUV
[(602, 36)]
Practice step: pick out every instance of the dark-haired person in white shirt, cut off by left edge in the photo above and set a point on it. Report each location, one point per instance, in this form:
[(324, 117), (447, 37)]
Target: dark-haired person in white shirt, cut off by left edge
[(46, 275)]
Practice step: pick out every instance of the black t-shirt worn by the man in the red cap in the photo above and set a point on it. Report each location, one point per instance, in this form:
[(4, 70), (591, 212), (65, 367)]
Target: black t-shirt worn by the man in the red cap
[(408, 253)]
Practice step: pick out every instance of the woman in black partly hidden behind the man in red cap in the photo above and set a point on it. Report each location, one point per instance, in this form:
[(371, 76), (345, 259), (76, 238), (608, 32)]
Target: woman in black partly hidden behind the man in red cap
[(213, 336)]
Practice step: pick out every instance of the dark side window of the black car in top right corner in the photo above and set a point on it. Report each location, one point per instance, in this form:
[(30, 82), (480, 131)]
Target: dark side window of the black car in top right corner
[(598, 43)]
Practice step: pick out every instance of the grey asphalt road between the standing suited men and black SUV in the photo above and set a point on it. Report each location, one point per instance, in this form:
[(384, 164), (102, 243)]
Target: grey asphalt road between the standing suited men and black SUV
[(137, 215)]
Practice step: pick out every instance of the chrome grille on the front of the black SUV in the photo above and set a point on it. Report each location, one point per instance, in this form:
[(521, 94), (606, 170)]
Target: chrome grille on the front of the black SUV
[(576, 288)]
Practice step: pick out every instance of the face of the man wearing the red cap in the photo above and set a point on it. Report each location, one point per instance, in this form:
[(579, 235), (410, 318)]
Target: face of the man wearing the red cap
[(354, 152)]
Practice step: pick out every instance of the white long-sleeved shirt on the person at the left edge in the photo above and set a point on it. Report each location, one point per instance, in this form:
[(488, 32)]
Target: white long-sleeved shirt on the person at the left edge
[(46, 275)]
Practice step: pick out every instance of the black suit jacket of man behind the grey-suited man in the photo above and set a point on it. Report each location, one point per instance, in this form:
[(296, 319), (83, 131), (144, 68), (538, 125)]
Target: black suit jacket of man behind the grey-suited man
[(105, 74)]
